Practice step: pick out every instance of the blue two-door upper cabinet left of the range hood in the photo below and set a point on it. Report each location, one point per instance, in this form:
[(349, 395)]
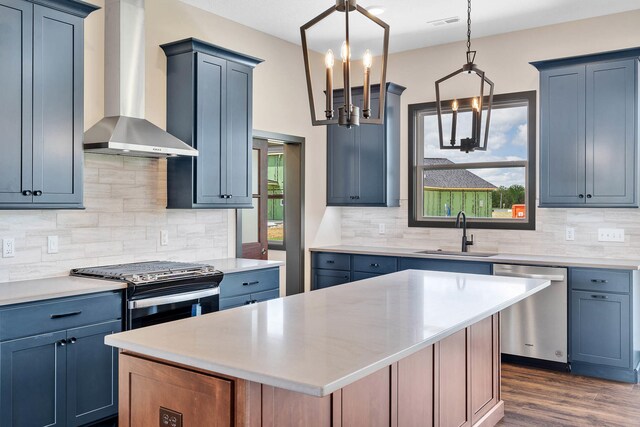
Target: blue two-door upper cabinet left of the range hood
[(41, 107)]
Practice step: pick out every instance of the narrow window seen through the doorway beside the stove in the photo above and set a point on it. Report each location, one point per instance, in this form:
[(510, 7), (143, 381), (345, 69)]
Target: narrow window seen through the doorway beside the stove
[(275, 192)]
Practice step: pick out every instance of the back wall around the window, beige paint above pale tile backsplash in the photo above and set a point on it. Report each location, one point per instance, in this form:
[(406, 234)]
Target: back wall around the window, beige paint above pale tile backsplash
[(505, 59)]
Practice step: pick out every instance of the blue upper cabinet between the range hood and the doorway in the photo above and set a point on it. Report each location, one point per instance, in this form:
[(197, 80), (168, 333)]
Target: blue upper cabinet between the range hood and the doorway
[(209, 106)]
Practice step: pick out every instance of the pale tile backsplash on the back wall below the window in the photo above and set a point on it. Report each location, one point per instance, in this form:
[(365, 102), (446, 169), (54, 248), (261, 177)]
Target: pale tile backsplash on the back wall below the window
[(360, 226)]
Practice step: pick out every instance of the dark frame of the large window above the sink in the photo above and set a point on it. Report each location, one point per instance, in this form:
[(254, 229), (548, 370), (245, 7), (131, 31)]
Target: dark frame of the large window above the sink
[(417, 112)]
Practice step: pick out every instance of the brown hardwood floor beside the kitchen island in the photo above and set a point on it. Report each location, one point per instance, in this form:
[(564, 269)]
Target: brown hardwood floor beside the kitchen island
[(535, 397)]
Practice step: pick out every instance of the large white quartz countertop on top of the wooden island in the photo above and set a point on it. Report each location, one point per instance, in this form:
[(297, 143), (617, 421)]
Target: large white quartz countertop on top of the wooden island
[(321, 341)]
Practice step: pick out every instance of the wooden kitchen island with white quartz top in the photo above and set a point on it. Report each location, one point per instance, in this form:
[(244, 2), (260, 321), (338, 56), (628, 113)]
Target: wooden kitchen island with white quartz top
[(409, 348)]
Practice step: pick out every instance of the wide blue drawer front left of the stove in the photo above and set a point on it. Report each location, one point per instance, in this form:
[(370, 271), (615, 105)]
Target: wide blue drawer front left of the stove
[(56, 315)]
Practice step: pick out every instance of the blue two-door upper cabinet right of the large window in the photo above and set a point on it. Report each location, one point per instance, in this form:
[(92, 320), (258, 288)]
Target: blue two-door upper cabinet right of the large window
[(589, 130)]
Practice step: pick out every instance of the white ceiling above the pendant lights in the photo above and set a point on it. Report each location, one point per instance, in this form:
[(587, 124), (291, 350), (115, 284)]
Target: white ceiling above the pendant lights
[(408, 18)]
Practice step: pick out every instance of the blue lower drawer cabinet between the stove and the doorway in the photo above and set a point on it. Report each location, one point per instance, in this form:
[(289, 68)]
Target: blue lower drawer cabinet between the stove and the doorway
[(249, 287)]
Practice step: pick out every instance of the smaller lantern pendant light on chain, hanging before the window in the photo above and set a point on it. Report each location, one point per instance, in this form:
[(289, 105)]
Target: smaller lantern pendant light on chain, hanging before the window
[(475, 141)]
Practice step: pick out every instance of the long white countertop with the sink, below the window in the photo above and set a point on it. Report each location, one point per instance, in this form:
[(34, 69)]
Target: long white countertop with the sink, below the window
[(550, 260)]
